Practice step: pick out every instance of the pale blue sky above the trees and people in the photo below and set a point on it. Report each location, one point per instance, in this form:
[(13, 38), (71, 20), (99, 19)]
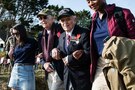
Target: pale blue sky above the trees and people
[(79, 5)]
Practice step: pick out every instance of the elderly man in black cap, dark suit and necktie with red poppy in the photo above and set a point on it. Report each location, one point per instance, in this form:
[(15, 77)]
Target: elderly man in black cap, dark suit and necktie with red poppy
[(73, 48)]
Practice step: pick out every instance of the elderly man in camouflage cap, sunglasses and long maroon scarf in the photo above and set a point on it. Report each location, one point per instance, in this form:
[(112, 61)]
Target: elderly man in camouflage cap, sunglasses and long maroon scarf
[(48, 40)]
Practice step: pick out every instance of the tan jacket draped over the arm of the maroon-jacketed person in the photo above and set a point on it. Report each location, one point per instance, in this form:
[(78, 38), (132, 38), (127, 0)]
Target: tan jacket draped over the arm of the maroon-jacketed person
[(119, 55)]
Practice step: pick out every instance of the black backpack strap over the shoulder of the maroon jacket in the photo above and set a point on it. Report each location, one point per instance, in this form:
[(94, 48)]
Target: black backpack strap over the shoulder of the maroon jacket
[(119, 16)]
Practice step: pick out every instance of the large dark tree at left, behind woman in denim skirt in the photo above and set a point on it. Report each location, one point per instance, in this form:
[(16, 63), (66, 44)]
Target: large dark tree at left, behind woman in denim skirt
[(18, 11)]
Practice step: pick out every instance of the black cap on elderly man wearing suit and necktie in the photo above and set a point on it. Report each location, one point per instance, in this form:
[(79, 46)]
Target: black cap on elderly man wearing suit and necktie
[(65, 12)]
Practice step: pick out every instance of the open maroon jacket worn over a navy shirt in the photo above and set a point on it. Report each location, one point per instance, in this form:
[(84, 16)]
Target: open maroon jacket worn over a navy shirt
[(113, 30)]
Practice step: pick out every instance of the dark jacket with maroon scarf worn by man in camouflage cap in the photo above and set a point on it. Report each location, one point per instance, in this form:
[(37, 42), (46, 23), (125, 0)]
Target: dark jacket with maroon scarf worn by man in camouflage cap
[(52, 42)]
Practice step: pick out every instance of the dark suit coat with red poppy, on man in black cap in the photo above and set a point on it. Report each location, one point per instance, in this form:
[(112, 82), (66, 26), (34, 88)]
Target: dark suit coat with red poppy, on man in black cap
[(77, 71)]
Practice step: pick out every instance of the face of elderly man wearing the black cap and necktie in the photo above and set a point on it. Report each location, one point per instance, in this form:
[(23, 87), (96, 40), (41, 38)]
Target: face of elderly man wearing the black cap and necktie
[(68, 22)]
